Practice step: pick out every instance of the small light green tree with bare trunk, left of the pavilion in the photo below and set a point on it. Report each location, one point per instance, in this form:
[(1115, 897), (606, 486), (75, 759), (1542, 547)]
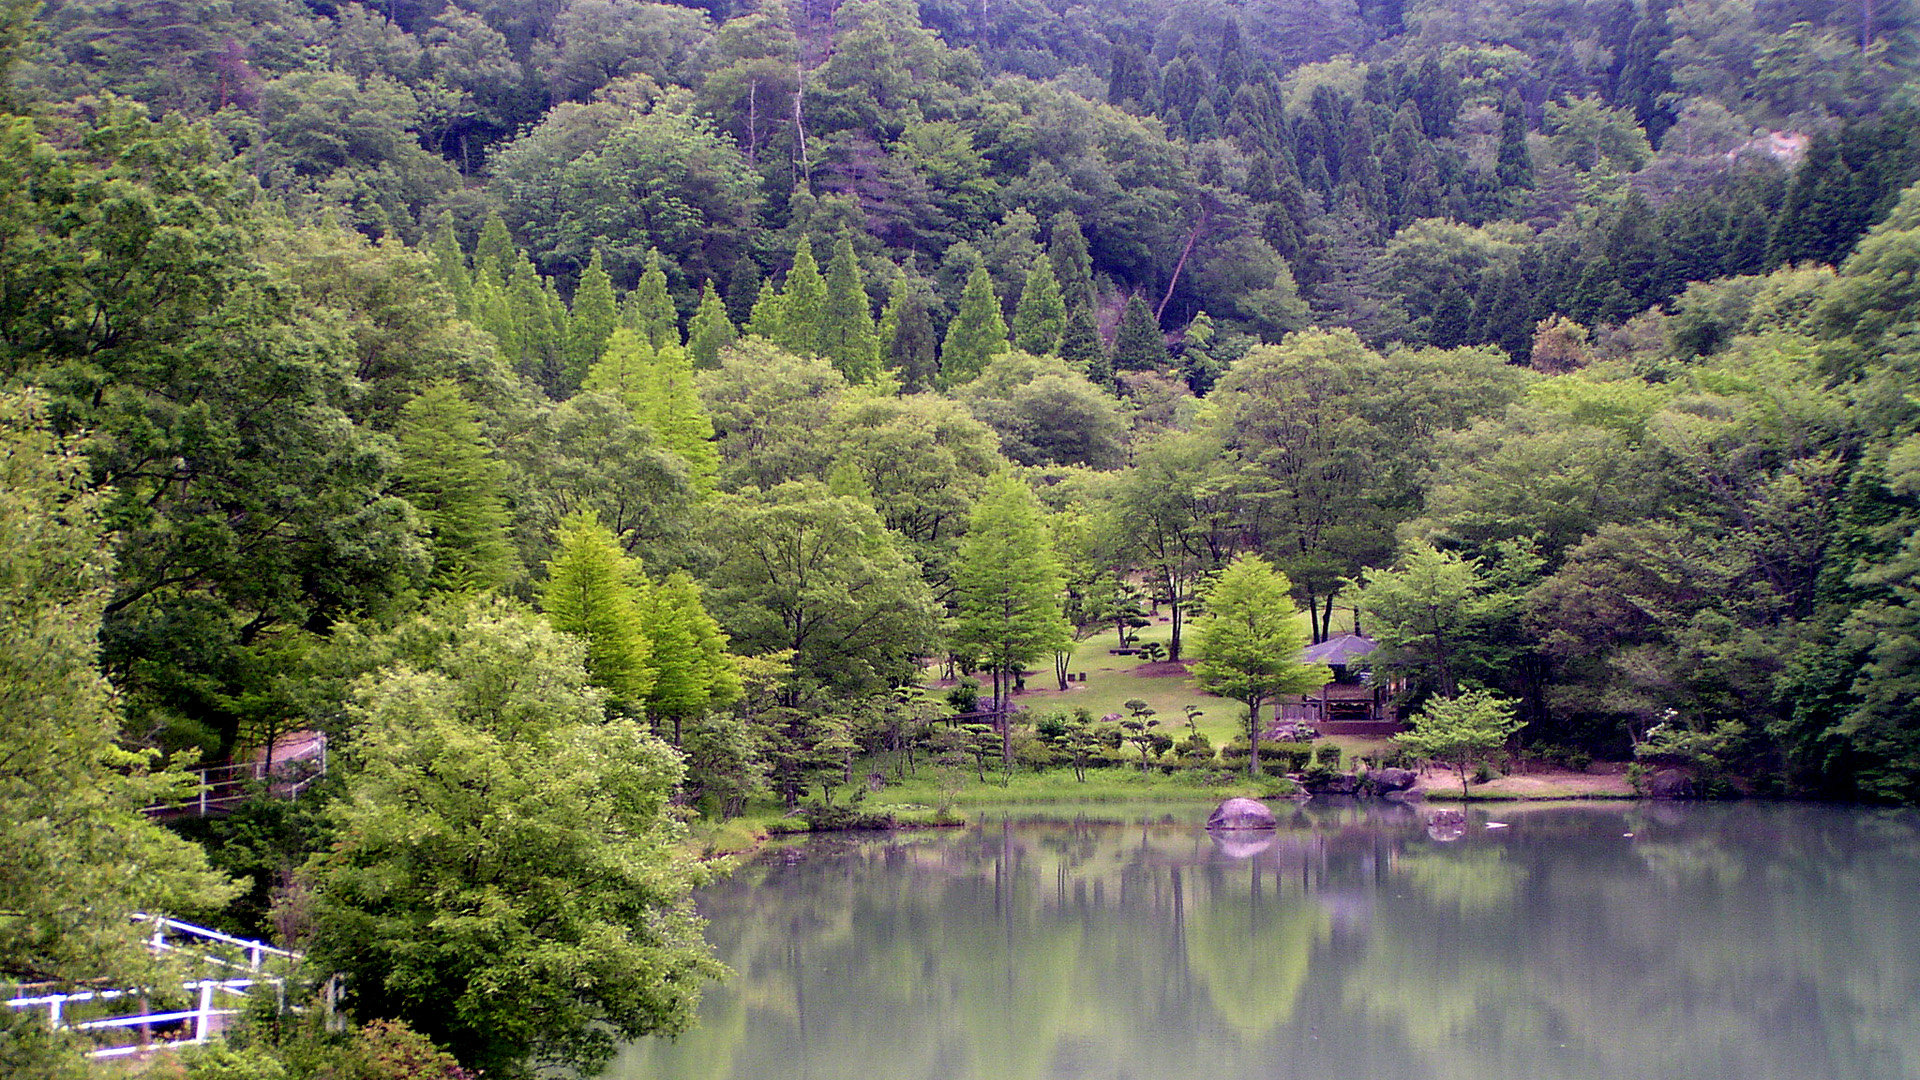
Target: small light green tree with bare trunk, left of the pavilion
[(1249, 643)]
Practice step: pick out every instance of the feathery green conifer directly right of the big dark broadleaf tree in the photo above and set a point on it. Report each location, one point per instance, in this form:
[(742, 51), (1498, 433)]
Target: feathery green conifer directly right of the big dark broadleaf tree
[(452, 478)]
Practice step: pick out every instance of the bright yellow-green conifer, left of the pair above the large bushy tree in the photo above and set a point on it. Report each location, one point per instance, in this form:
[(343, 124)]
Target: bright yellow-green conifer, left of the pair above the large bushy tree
[(592, 591)]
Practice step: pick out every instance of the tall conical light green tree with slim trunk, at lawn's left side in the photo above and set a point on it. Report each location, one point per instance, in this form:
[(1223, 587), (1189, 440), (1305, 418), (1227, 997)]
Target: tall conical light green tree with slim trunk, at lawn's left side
[(1009, 591)]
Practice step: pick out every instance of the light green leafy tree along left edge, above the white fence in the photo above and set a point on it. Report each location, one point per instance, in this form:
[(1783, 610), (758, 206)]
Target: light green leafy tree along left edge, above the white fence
[(72, 798)]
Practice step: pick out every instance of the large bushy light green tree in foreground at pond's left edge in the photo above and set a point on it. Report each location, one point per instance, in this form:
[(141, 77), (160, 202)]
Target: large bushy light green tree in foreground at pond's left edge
[(506, 871)]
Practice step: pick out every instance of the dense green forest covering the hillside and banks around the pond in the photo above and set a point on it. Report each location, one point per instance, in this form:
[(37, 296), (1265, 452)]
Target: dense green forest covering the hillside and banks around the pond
[(627, 408)]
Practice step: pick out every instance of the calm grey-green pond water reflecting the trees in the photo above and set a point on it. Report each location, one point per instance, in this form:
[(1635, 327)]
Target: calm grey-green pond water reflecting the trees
[(1716, 943)]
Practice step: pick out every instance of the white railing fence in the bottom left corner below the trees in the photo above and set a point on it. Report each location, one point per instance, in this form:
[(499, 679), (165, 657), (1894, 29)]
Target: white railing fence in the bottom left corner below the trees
[(231, 970)]
